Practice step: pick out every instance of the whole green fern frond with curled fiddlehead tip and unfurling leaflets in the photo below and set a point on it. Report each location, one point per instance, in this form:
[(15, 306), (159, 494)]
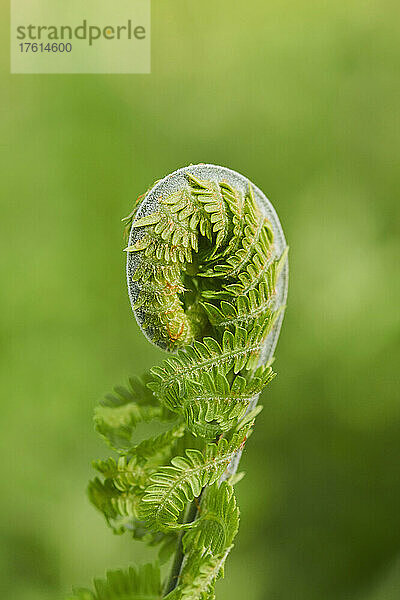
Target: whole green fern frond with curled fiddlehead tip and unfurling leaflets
[(207, 278)]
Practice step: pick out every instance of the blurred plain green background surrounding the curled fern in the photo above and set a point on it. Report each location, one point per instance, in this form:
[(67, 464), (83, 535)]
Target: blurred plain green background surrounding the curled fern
[(303, 98)]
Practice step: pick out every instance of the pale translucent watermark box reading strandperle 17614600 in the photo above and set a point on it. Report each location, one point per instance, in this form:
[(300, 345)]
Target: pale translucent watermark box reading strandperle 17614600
[(71, 36)]
